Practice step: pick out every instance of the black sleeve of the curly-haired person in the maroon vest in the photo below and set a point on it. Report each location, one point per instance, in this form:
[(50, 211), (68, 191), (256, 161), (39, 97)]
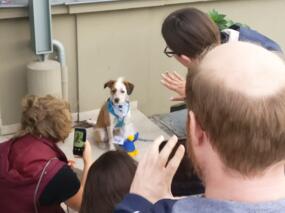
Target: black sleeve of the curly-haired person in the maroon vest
[(64, 185)]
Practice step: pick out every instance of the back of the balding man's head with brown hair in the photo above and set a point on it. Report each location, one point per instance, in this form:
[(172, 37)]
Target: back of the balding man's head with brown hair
[(237, 94)]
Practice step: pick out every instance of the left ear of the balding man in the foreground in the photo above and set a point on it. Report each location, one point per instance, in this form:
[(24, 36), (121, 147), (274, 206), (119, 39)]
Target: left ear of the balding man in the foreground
[(197, 134)]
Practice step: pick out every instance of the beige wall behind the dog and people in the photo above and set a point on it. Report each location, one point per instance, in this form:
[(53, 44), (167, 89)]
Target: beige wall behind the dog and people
[(105, 42)]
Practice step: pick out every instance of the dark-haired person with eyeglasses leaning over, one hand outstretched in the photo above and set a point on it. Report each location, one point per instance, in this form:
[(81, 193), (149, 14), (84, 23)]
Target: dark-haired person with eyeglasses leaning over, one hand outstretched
[(189, 33)]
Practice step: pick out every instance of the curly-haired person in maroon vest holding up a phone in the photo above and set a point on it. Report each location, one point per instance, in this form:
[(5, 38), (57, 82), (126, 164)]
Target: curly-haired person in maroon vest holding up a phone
[(34, 172)]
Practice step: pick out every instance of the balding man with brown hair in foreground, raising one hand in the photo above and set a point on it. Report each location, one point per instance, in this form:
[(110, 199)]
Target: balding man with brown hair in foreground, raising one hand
[(236, 138)]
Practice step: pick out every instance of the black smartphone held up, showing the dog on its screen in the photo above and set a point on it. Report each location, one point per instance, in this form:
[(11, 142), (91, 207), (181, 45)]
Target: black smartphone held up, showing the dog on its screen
[(79, 141)]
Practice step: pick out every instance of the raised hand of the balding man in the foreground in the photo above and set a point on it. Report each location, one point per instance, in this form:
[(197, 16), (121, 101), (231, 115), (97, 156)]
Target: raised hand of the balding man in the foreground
[(154, 175)]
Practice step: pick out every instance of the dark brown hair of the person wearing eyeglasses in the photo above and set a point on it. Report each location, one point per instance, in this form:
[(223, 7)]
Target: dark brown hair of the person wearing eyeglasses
[(190, 32)]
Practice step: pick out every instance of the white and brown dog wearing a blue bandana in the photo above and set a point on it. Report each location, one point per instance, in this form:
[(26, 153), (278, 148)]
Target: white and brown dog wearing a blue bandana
[(114, 116)]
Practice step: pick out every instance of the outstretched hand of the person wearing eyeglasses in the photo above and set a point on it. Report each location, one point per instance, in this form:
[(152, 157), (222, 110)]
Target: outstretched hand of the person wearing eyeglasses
[(176, 83)]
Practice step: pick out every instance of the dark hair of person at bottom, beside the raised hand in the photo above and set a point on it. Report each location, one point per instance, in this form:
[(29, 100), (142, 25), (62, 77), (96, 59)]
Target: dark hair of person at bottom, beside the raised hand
[(108, 181)]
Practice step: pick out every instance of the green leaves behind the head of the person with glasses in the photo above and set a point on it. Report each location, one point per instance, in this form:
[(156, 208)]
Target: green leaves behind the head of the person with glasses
[(221, 20)]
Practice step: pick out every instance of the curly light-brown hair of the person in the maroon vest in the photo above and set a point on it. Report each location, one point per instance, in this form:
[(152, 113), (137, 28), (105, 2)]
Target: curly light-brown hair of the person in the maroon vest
[(46, 117)]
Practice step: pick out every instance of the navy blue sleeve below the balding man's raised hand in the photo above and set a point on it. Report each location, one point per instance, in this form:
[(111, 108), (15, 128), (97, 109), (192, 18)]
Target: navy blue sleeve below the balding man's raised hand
[(135, 203)]
